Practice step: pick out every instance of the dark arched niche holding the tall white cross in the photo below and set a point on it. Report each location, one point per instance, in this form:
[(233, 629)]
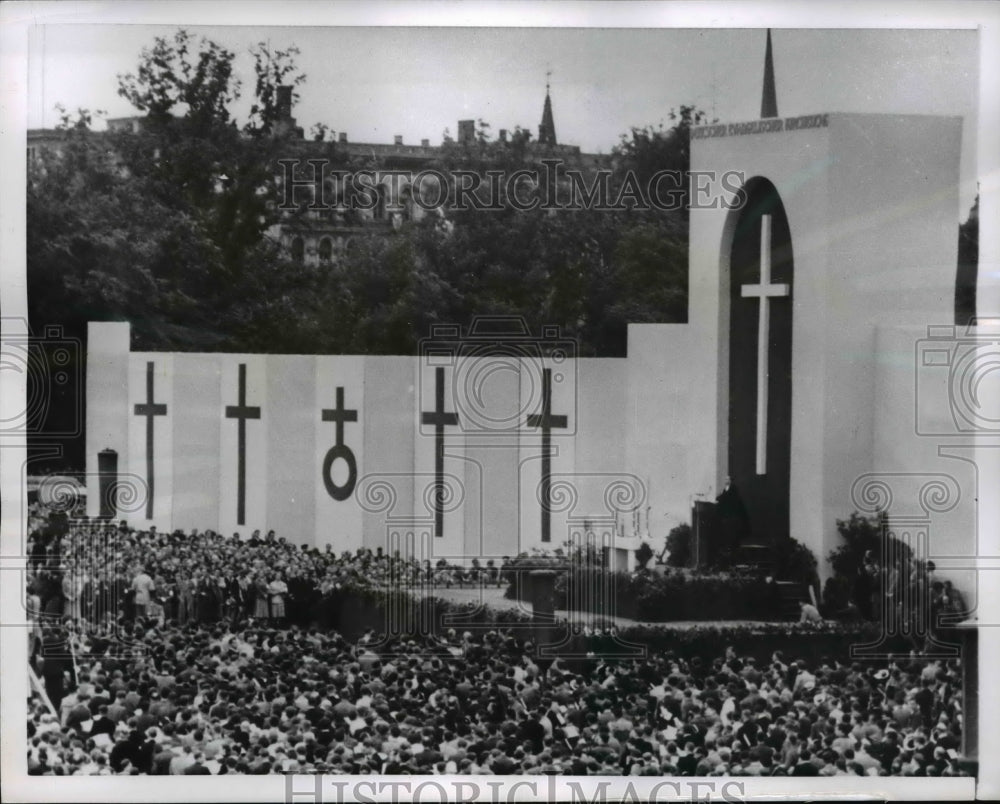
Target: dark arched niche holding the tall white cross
[(760, 287)]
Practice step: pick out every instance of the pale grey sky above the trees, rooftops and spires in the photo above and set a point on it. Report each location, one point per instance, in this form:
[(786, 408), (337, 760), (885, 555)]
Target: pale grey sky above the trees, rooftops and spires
[(374, 83)]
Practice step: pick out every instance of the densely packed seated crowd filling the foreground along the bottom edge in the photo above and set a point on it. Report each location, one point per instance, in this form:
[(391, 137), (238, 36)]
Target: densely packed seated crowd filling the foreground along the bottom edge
[(242, 699)]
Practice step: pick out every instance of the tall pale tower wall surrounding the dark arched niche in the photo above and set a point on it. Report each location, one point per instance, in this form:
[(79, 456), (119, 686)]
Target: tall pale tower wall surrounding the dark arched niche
[(872, 205)]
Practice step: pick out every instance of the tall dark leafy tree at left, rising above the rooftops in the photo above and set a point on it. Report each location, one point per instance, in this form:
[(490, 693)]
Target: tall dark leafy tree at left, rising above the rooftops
[(168, 227)]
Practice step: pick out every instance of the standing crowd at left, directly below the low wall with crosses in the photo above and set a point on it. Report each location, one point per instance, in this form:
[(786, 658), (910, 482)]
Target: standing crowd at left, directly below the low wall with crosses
[(97, 572)]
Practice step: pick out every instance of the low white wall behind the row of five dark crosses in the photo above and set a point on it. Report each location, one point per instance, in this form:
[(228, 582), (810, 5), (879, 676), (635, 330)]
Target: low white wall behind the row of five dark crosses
[(497, 475)]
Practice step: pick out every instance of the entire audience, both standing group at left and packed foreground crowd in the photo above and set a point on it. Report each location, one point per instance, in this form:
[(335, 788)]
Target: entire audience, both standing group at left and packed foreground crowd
[(189, 675)]
